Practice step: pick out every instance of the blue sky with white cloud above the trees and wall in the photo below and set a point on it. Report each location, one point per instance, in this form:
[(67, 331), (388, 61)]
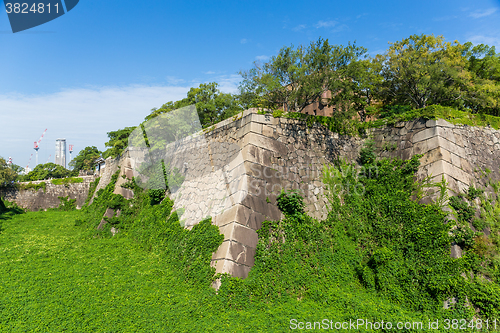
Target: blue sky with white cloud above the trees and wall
[(105, 64)]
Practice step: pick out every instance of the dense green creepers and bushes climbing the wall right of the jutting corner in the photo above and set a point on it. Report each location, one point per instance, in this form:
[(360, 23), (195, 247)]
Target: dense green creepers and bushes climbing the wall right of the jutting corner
[(377, 243)]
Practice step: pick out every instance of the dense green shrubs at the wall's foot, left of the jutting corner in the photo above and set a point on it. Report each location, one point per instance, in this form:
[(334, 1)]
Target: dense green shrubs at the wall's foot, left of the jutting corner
[(154, 225)]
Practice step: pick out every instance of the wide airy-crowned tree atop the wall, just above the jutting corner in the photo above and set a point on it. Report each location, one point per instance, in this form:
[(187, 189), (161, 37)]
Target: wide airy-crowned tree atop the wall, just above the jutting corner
[(298, 77)]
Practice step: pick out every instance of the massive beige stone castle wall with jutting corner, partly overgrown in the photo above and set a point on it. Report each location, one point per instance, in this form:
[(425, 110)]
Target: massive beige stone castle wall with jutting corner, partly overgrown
[(276, 153)]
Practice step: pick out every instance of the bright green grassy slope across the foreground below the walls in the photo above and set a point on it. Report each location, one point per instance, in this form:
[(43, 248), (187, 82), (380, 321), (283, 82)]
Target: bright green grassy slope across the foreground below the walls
[(53, 279)]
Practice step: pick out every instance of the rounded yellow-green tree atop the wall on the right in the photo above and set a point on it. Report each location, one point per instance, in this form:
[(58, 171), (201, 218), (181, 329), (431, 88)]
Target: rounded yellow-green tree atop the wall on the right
[(422, 70)]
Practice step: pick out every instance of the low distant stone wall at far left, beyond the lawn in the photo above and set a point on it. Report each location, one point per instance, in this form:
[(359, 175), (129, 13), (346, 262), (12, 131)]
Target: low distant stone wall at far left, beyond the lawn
[(40, 199)]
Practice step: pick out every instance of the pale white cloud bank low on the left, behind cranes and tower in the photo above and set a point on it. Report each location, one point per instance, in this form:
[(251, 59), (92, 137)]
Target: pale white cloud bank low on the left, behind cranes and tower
[(82, 116)]
